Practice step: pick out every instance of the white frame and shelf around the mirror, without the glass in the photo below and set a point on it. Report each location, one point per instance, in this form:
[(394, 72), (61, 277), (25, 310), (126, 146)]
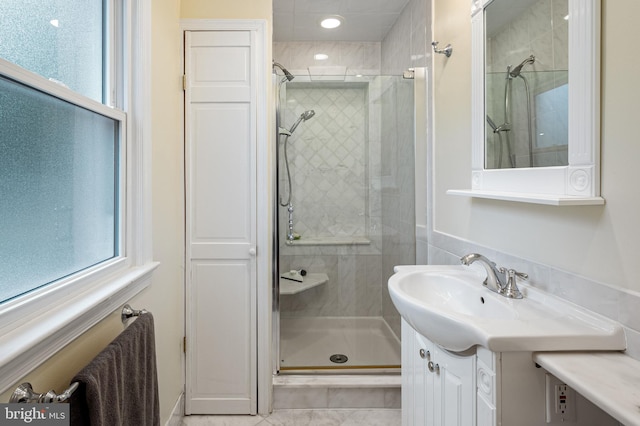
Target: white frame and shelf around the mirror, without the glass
[(575, 184)]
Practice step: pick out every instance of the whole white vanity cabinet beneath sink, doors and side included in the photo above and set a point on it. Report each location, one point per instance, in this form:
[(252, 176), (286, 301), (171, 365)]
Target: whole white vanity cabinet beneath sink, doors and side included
[(477, 388)]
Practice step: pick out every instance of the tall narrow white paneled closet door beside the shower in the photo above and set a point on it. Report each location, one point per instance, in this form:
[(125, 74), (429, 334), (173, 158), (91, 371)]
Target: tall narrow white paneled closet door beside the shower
[(220, 125)]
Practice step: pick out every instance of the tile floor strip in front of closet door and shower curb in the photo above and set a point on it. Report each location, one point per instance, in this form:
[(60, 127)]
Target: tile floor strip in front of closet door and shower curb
[(357, 417)]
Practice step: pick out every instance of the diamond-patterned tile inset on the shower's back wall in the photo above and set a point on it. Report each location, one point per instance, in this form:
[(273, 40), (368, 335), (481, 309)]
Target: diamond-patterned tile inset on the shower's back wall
[(328, 160)]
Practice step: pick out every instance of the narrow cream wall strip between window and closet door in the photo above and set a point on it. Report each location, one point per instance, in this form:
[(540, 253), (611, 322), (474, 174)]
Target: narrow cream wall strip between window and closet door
[(166, 296)]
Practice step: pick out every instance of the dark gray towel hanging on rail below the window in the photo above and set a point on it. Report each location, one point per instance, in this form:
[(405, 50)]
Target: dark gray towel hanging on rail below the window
[(119, 386)]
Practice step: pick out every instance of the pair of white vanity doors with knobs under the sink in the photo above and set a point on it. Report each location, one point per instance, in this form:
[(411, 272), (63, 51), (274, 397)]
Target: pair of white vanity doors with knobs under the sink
[(438, 387)]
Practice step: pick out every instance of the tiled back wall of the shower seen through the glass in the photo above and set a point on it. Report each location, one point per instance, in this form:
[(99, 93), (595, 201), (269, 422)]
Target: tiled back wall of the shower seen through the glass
[(331, 161)]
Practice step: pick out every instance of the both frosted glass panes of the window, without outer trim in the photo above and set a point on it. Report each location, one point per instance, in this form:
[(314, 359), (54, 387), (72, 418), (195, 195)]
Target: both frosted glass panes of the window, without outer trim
[(59, 166)]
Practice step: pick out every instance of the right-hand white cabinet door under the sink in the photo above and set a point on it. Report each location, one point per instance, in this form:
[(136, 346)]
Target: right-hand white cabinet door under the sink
[(454, 395)]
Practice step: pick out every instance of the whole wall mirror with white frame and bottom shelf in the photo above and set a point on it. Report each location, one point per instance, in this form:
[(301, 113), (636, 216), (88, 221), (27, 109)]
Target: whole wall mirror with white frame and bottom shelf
[(535, 101)]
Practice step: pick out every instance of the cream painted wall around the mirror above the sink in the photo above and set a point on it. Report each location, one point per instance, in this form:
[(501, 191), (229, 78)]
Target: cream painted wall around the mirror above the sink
[(597, 242)]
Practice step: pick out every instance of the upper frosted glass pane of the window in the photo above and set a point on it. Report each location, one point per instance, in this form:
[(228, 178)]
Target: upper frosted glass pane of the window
[(61, 40)]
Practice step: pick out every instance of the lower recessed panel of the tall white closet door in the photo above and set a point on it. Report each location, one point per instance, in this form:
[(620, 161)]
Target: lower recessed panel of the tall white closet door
[(222, 361)]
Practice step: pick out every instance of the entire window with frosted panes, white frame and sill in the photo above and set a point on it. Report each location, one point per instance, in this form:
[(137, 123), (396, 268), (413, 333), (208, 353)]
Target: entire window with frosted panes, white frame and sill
[(73, 154)]
